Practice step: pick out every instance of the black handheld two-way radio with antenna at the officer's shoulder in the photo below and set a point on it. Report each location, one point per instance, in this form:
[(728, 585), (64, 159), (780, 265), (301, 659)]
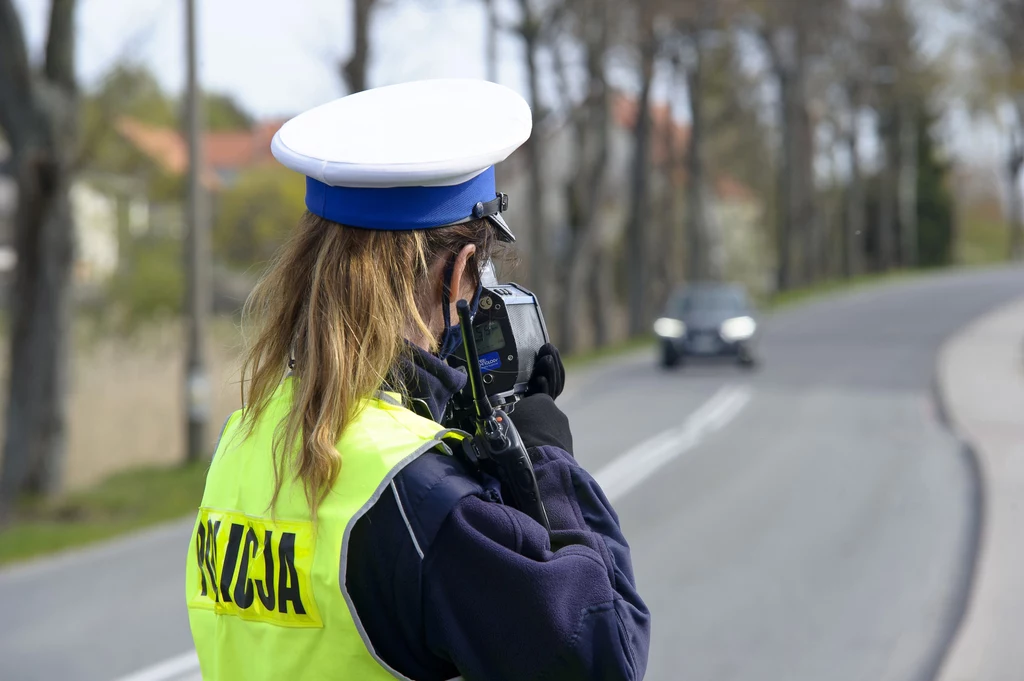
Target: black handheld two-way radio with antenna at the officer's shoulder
[(495, 447)]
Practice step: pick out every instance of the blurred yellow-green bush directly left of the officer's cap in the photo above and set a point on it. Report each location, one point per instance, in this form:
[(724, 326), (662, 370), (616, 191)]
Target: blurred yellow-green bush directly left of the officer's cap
[(257, 215)]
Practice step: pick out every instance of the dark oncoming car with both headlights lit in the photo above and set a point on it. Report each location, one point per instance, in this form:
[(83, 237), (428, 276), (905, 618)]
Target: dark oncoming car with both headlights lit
[(708, 320)]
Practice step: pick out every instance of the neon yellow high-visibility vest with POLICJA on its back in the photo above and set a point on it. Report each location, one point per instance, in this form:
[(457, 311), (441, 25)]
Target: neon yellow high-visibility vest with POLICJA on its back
[(267, 593)]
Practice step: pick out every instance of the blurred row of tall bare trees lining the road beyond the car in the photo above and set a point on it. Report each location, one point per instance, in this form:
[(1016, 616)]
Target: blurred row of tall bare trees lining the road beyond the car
[(799, 89)]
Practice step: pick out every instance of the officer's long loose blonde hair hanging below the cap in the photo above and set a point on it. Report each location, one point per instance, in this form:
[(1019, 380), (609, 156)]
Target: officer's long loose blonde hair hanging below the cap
[(344, 301)]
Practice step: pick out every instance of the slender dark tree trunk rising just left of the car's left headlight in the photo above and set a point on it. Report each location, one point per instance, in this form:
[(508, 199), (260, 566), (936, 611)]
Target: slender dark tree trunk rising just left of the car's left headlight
[(636, 232)]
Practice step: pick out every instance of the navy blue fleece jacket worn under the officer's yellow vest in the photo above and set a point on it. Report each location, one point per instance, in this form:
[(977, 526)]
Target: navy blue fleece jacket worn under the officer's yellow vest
[(448, 582)]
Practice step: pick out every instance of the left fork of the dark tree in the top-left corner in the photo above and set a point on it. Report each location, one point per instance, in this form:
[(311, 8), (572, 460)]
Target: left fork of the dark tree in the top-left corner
[(16, 77)]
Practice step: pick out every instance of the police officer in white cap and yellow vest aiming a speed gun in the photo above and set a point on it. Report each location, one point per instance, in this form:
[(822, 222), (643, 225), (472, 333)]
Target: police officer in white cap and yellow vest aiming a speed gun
[(338, 538)]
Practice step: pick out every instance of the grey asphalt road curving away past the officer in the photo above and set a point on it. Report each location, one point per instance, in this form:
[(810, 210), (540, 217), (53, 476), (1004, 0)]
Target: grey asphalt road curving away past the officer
[(812, 521)]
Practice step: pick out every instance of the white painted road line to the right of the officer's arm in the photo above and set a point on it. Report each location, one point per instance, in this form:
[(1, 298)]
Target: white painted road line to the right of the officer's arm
[(639, 463)]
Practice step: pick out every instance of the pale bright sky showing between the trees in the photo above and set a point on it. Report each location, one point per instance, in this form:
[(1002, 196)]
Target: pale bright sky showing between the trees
[(280, 58)]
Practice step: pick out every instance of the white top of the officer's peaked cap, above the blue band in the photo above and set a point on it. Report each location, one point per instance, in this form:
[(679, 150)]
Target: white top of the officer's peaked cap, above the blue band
[(423, 134)]
